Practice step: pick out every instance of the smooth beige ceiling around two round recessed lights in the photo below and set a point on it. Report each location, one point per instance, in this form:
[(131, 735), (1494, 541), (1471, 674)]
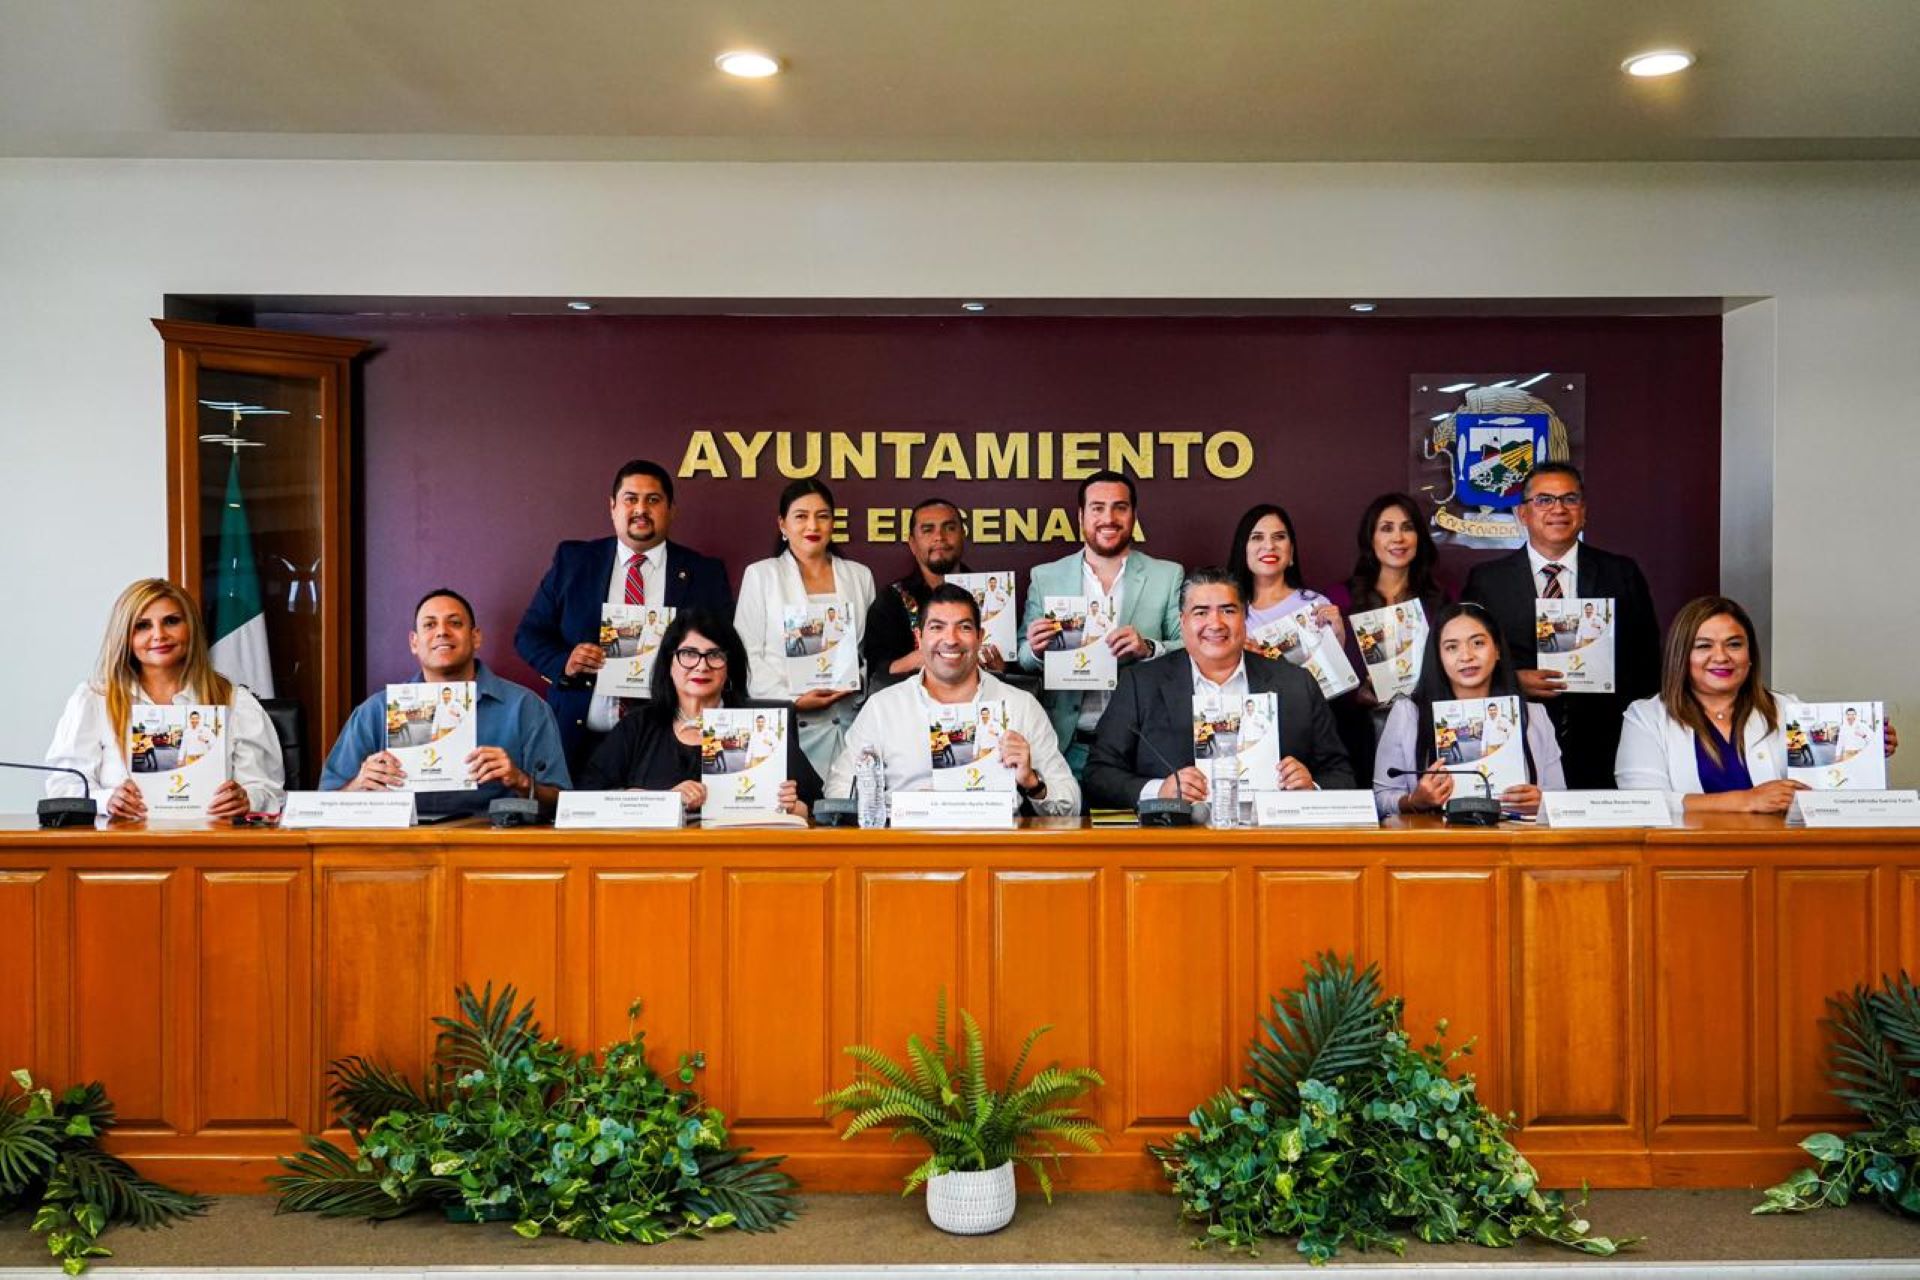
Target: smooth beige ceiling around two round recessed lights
[(959, 80)]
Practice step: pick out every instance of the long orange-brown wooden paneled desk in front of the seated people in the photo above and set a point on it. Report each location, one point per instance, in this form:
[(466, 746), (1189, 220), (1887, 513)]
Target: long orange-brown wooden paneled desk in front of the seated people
[(1648, 1005)]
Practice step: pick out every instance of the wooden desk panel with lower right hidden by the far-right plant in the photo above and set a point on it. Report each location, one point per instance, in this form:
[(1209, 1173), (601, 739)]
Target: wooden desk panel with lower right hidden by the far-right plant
[(1825, 945)]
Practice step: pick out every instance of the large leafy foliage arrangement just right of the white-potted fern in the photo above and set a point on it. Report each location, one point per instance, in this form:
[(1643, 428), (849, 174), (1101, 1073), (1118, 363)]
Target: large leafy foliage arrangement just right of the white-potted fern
[(1353, 1135)]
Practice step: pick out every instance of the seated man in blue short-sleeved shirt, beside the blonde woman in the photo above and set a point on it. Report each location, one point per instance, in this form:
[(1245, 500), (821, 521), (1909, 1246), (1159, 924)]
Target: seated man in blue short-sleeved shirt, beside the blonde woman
[(519, 751)]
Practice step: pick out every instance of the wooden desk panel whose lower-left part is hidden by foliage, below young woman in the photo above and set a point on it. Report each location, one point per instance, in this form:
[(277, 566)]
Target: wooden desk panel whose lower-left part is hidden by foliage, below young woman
[(1447, 953)]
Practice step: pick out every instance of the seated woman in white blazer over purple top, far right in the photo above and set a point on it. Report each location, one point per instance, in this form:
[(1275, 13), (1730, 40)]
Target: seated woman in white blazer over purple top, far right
[(1716, 734)]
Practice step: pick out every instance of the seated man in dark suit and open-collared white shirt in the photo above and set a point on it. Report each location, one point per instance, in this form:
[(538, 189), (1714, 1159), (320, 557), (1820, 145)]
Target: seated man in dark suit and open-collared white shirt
[(1145, 742)]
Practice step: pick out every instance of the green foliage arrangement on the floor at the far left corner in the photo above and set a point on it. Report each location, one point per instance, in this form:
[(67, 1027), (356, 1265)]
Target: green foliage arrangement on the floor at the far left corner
[(51, 1160)]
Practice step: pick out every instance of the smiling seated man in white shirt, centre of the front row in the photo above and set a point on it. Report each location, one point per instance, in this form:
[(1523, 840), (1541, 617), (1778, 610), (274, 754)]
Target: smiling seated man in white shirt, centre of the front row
[(896, 721)]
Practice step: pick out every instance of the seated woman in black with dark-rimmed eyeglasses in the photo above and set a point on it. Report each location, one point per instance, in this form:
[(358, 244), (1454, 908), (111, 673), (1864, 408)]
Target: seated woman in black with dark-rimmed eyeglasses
[(702, 667)]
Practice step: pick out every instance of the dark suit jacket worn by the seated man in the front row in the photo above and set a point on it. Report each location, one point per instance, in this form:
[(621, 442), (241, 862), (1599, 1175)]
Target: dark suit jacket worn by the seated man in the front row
[(1157, 701)]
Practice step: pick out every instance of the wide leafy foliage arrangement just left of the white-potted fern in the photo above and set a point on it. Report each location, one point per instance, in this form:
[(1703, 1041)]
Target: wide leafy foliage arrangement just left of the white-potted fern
[(512, 1126)]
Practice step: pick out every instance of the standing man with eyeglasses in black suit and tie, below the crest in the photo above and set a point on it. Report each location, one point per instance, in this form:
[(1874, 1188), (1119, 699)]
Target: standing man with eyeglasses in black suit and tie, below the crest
[(1556, 563)]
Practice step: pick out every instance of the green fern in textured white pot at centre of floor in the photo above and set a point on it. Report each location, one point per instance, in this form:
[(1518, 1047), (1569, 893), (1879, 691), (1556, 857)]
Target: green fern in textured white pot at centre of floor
[(976, 1133)]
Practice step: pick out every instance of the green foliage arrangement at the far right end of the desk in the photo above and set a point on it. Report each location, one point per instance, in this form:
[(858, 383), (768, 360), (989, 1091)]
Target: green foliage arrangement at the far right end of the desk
[(1877, 1060)]
